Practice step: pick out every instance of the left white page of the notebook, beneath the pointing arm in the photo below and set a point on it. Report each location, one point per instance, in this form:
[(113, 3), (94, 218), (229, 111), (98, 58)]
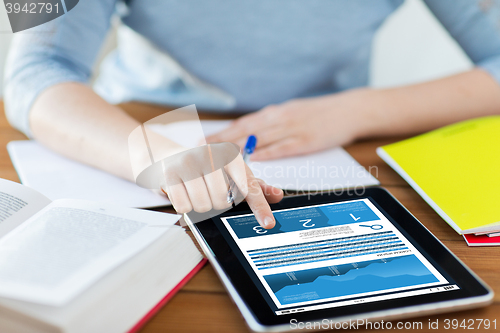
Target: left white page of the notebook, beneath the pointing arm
[(58, 177)]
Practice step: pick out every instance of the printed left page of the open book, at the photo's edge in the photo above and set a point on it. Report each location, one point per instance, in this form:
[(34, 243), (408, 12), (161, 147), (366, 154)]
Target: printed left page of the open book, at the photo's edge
[(17, 204)]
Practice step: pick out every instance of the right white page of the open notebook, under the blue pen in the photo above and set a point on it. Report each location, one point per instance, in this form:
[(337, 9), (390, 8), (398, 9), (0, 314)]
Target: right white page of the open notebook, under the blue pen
[(325, 170)]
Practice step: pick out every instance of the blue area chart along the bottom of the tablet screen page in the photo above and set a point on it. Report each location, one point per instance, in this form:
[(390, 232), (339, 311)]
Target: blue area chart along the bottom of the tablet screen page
[(349, 279)]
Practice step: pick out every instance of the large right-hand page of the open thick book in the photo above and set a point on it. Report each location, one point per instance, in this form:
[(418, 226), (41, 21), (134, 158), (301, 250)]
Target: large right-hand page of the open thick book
[(70, 244)]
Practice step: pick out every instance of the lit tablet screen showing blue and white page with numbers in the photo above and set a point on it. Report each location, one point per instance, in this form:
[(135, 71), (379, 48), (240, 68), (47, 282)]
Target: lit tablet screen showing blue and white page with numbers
[(332, 255)]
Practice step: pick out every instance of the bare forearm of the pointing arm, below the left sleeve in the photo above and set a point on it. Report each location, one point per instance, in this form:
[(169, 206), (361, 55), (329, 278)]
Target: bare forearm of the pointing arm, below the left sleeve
[(73, 120)]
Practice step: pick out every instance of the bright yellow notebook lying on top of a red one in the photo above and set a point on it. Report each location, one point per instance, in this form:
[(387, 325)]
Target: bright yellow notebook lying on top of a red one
[(456, 169)]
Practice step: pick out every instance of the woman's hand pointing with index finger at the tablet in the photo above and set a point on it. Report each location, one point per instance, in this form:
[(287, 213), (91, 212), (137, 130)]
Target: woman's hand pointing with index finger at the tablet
[(196, 179)]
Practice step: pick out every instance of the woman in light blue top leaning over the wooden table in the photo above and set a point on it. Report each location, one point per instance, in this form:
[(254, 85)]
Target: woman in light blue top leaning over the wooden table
[(302, 64)]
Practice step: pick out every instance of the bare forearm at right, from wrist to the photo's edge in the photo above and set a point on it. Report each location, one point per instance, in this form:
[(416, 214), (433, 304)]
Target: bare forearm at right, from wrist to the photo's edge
[(423, 107)]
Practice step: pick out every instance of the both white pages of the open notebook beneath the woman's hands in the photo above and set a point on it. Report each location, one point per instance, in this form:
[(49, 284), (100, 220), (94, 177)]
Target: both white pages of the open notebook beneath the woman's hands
[(58, 177)]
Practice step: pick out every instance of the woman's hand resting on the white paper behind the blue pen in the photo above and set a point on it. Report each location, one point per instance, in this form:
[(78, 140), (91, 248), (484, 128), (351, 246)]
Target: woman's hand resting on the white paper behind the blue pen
[(304, 125)]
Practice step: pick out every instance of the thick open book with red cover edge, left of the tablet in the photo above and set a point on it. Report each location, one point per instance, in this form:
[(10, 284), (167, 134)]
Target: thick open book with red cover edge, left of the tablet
[(83, 266)]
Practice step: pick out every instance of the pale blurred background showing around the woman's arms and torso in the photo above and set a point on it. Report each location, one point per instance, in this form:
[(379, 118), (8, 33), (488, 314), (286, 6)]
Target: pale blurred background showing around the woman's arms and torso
[(410, 47)]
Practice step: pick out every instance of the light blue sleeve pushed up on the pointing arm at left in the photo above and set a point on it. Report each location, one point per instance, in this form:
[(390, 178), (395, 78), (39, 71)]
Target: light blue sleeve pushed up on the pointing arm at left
[(62, 50)]
